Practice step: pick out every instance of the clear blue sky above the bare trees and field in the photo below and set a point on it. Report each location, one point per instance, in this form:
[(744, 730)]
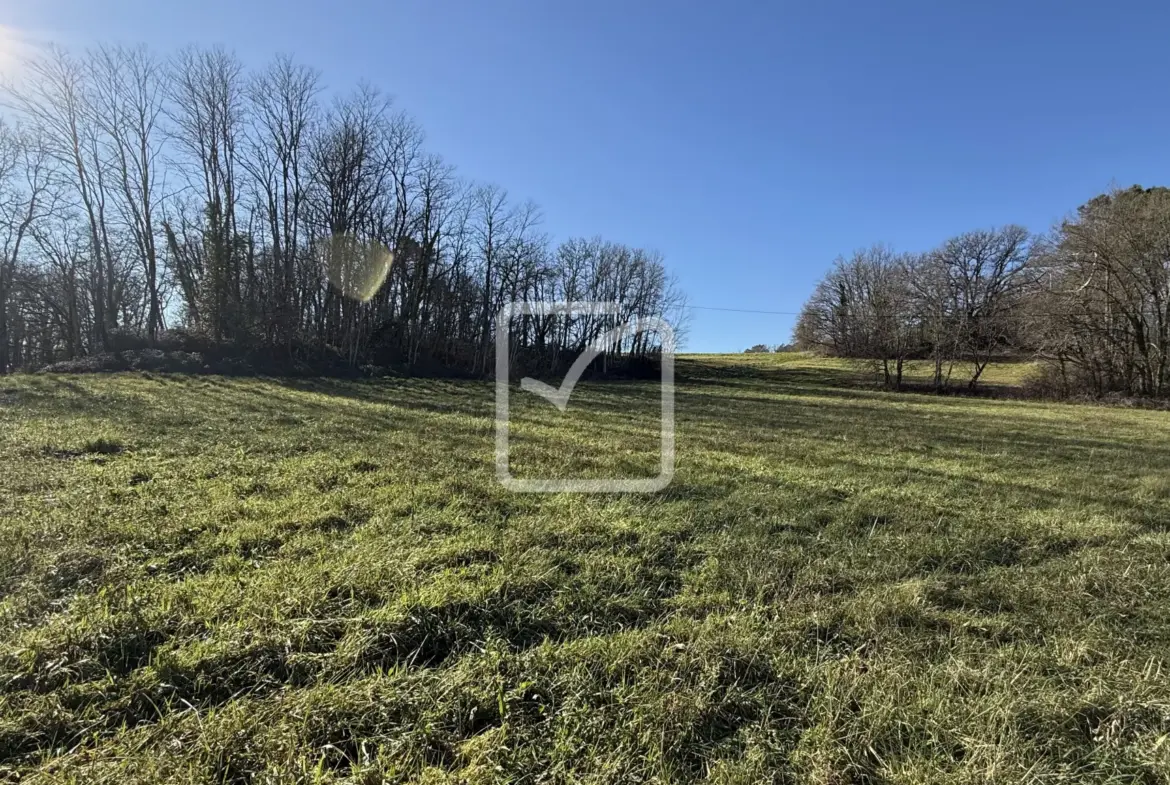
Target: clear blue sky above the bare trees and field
[(751, 143)]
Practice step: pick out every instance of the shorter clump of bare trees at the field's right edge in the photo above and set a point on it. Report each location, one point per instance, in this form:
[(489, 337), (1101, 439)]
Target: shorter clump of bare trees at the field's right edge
[(1091, 300)]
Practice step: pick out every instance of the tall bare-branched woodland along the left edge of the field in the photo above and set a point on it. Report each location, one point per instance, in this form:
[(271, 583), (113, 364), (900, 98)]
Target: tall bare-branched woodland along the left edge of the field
[(187, 203)]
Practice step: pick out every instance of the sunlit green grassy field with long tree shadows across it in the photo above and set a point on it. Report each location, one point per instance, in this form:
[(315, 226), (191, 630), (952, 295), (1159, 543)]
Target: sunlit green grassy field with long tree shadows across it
[(231, 581)]
